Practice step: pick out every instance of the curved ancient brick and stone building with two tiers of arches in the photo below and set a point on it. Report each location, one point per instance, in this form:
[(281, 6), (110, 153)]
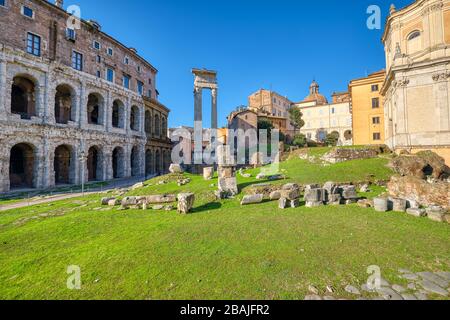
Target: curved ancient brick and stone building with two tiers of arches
[(72, 96)]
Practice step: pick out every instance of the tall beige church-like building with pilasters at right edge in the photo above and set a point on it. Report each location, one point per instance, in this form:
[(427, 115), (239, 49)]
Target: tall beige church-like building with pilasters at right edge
[(417, 105)]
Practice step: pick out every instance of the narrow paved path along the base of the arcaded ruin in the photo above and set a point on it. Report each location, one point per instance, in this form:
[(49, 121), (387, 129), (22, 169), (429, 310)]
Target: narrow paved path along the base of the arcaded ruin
[(62, 196)]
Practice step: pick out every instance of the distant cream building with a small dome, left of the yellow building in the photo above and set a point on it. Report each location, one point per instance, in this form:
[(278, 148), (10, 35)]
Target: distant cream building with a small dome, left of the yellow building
[(322, 118)]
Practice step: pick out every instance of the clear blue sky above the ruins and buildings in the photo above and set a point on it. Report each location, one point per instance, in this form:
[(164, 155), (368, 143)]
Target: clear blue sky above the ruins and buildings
[(280, 45)]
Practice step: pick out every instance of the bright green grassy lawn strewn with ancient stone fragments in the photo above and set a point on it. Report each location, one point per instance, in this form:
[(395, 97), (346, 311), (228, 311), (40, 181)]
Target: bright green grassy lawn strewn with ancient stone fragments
[(221, 251)]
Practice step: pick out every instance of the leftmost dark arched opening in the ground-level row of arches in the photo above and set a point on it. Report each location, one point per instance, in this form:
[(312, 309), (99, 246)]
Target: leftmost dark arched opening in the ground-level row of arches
[(22, 166)]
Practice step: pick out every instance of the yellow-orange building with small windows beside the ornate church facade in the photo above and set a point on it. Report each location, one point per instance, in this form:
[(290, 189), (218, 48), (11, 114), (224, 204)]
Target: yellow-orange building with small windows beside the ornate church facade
[(368, 109)]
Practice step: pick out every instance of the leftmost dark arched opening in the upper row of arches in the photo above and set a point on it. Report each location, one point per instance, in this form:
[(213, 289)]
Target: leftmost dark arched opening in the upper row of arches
[(23, 97)]
